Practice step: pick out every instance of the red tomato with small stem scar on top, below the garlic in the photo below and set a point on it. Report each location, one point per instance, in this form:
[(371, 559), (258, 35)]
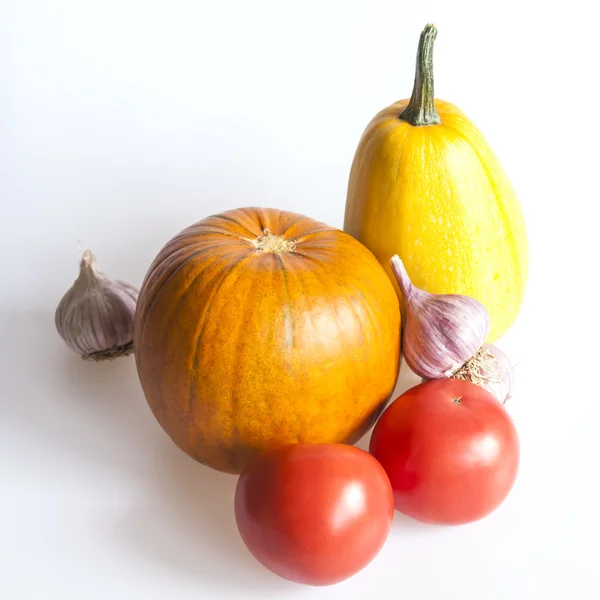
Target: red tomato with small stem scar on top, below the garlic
[(450, 449)]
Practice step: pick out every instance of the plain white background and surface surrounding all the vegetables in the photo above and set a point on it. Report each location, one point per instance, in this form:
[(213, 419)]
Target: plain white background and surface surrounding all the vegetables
[(124, 121)]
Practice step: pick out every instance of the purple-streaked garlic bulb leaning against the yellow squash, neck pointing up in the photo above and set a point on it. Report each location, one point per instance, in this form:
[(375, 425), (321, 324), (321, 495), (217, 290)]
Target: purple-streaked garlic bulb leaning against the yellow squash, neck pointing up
[(442, 331)]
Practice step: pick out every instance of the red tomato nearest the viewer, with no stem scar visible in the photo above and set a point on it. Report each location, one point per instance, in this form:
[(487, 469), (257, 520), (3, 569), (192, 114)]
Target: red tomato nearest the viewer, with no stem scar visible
[(314, 513)]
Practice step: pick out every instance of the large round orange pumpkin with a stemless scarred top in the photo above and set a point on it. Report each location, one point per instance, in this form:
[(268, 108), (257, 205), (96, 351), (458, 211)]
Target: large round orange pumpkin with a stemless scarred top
[(259, 327)]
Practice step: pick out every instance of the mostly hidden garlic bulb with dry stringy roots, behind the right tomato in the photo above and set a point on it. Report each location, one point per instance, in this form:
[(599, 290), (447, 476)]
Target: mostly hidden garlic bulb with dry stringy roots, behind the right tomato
[(491, 369)]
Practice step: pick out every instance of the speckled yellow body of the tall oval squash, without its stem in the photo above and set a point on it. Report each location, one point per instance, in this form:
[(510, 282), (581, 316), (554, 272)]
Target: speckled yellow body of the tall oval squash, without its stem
[(438, 197)]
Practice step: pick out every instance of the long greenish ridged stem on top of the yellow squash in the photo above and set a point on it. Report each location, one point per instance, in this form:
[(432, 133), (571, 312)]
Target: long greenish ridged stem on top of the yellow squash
[(421, 107)]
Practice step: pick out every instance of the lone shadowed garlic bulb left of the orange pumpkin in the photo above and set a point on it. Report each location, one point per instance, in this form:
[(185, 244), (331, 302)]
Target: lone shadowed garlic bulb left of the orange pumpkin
[(95, 316)]
